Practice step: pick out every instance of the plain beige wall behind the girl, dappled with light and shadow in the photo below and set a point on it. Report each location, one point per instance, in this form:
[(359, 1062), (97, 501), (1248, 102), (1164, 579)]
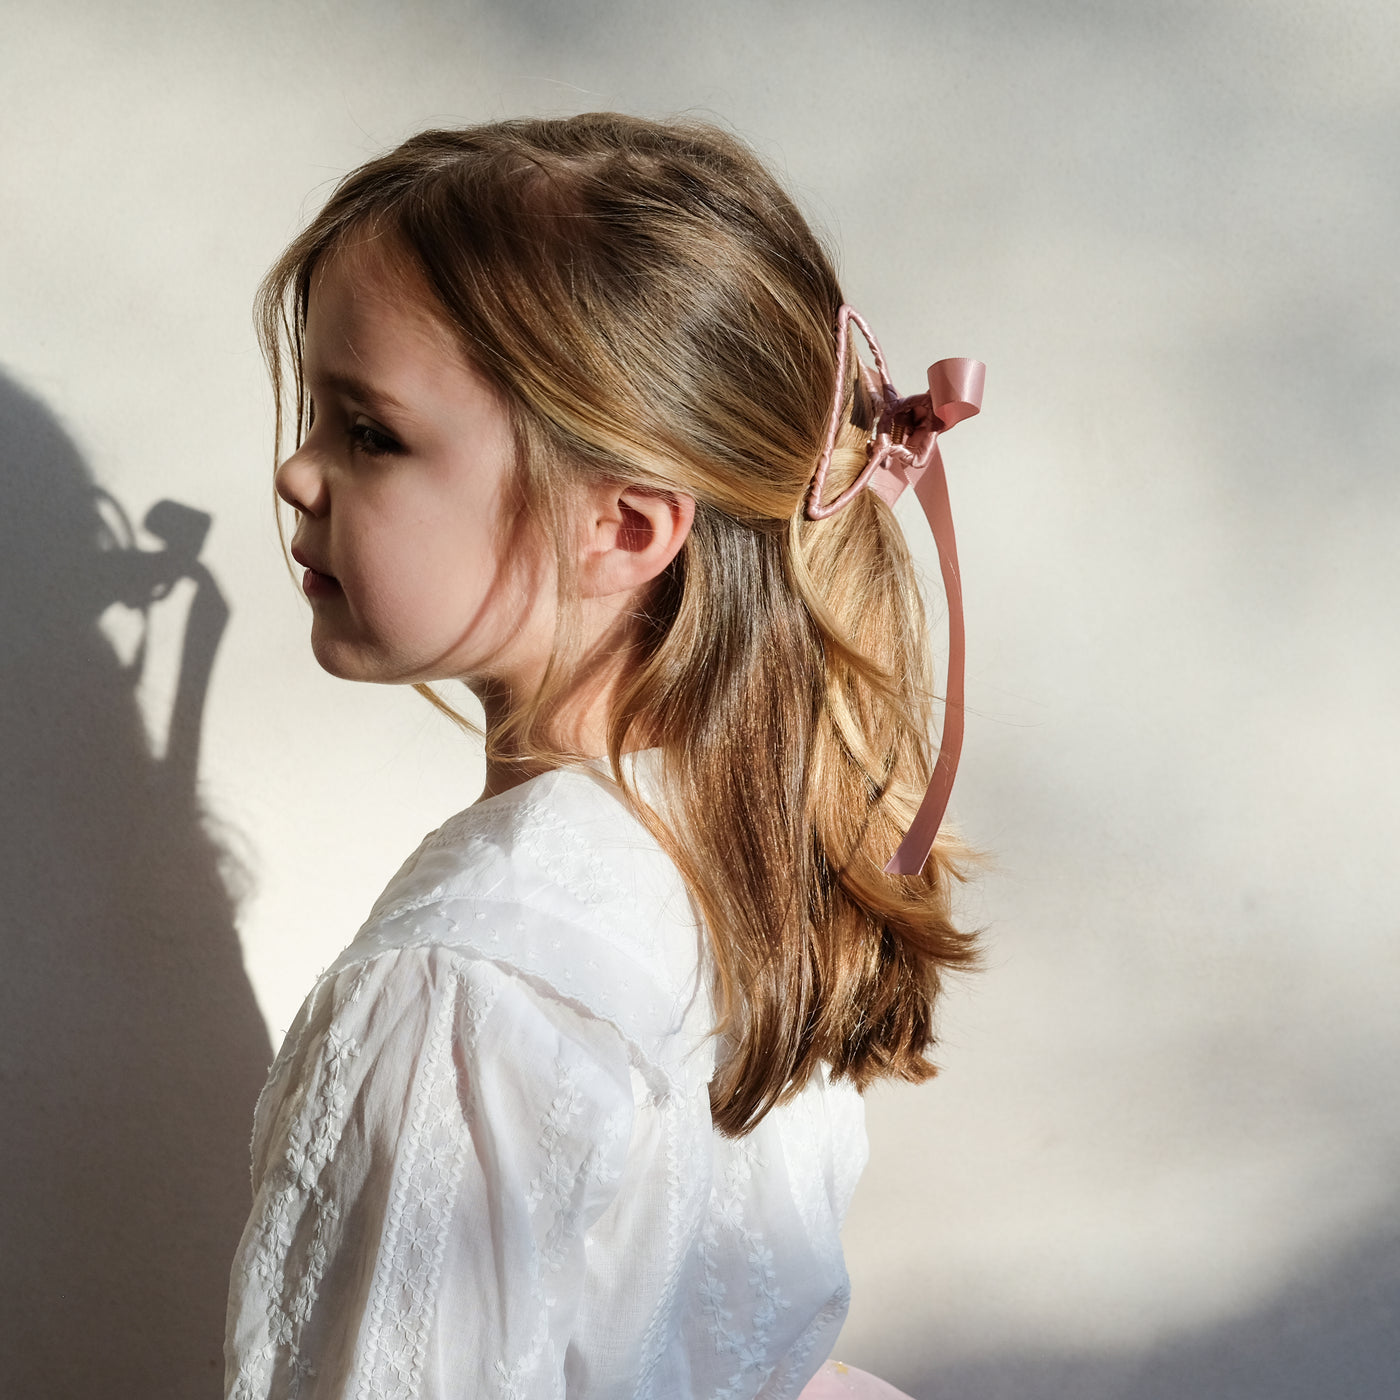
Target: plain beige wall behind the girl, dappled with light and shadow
[(1163, 1158)]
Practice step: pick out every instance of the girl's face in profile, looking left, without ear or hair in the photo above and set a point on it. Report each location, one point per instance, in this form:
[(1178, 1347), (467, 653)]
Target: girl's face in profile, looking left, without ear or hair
[(414, 569)]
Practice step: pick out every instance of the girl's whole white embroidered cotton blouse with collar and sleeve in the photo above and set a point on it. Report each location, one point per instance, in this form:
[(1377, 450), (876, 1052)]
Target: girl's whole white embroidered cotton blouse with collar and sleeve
[(485, 1167)]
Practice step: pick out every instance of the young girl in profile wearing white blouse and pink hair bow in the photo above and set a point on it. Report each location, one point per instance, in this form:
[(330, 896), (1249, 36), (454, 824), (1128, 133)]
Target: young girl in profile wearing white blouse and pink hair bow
[(580, 423)]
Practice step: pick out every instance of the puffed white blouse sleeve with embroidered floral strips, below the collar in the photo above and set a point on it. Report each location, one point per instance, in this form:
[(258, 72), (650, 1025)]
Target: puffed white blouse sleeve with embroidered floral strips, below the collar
[(433, 1143)]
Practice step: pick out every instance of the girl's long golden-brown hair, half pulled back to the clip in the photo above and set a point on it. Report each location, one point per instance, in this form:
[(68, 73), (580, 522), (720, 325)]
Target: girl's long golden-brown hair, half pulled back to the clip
[(656, 311)]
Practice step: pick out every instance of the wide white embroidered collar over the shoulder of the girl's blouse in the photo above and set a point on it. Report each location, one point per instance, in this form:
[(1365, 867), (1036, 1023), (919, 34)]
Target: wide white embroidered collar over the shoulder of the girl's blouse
[(558, 883)]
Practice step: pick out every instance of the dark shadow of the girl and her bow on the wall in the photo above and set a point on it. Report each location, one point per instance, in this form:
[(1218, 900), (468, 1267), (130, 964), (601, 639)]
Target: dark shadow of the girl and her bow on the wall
[(131, 1046)]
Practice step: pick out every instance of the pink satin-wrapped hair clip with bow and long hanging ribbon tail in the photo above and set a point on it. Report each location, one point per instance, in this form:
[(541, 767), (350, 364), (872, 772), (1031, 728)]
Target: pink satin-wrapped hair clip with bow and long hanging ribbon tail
[(915, 460)]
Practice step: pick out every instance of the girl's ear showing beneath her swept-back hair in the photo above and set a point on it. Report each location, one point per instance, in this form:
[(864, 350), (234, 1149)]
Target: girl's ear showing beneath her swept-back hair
[(631, 535)]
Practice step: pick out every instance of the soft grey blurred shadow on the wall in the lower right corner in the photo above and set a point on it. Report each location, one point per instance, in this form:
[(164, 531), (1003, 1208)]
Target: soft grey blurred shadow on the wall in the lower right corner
[(1332, 1336)]
